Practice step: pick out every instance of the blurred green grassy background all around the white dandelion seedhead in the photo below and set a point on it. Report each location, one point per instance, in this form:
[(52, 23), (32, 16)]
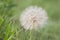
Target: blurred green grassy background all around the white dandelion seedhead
[(10, 28)]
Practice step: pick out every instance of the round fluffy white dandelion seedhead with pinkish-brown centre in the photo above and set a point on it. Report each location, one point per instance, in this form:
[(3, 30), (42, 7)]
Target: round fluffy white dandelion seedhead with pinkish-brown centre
[(33, 17)]
